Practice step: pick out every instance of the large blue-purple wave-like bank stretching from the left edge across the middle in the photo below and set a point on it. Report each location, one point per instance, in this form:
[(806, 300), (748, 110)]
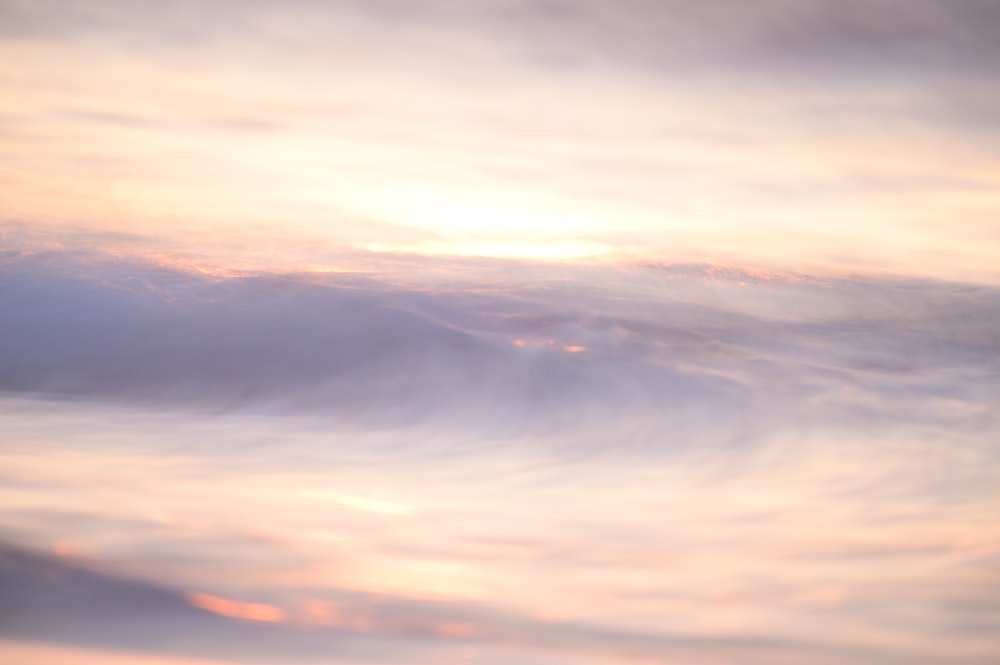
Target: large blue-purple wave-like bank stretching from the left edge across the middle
[(127, 330)]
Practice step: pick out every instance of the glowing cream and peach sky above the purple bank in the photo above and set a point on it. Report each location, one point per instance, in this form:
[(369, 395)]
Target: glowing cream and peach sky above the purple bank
[(813, 135)]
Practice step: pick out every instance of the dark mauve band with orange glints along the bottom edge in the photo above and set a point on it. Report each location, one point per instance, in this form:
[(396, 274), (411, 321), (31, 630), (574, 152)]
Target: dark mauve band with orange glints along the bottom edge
[(57, 602)]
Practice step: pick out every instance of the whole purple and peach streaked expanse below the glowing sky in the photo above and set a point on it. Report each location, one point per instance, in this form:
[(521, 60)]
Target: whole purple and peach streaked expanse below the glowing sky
[(427, 453)]
